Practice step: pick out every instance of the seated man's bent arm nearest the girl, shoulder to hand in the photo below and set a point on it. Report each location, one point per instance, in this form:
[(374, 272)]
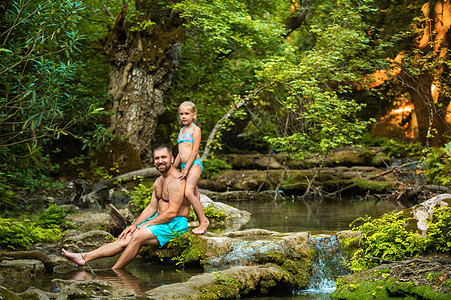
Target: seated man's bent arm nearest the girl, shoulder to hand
[(176, 191)]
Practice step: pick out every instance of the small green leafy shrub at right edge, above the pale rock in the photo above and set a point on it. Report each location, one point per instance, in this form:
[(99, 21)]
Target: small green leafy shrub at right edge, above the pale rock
[(438, 162)]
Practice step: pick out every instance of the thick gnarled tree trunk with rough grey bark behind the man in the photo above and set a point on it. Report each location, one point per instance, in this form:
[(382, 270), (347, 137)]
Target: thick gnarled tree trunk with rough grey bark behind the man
[(144, 54)]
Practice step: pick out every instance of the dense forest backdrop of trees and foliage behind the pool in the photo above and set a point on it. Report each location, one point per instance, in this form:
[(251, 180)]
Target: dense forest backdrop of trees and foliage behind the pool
[(302, 77)]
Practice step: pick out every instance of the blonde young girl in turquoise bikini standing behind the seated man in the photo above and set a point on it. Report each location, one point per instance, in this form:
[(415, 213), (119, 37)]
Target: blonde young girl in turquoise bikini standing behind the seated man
[(190, 162)]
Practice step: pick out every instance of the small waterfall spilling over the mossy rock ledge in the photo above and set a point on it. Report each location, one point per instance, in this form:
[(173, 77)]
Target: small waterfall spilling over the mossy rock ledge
[(327, 266)]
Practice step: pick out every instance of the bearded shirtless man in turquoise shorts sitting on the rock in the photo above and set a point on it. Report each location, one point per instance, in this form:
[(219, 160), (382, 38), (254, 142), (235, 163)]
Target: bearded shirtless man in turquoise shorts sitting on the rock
[(165, 216)]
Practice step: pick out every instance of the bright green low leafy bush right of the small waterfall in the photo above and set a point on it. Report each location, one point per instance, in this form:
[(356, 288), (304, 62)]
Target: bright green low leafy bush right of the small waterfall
[(387, 238)]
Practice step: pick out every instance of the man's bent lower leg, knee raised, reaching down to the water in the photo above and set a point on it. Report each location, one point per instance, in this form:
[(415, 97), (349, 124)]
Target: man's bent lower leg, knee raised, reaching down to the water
[(141, 237)]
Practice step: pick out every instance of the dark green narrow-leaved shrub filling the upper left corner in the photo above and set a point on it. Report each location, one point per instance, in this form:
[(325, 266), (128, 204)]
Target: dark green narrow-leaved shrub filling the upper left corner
[(46, 89)]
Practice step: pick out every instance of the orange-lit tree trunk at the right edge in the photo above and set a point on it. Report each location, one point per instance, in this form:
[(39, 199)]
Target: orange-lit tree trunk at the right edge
[(427, 89)]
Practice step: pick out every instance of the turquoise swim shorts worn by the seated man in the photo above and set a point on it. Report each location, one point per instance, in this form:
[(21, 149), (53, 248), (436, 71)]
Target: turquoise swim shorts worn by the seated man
[(165, 232)]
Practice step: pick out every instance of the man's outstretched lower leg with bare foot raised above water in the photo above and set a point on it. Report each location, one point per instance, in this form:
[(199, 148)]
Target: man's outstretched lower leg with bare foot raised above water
[(107, 250)]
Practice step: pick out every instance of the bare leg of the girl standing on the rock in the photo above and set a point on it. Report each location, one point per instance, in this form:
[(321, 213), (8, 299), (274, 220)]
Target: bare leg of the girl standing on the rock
[(193, 195)]
